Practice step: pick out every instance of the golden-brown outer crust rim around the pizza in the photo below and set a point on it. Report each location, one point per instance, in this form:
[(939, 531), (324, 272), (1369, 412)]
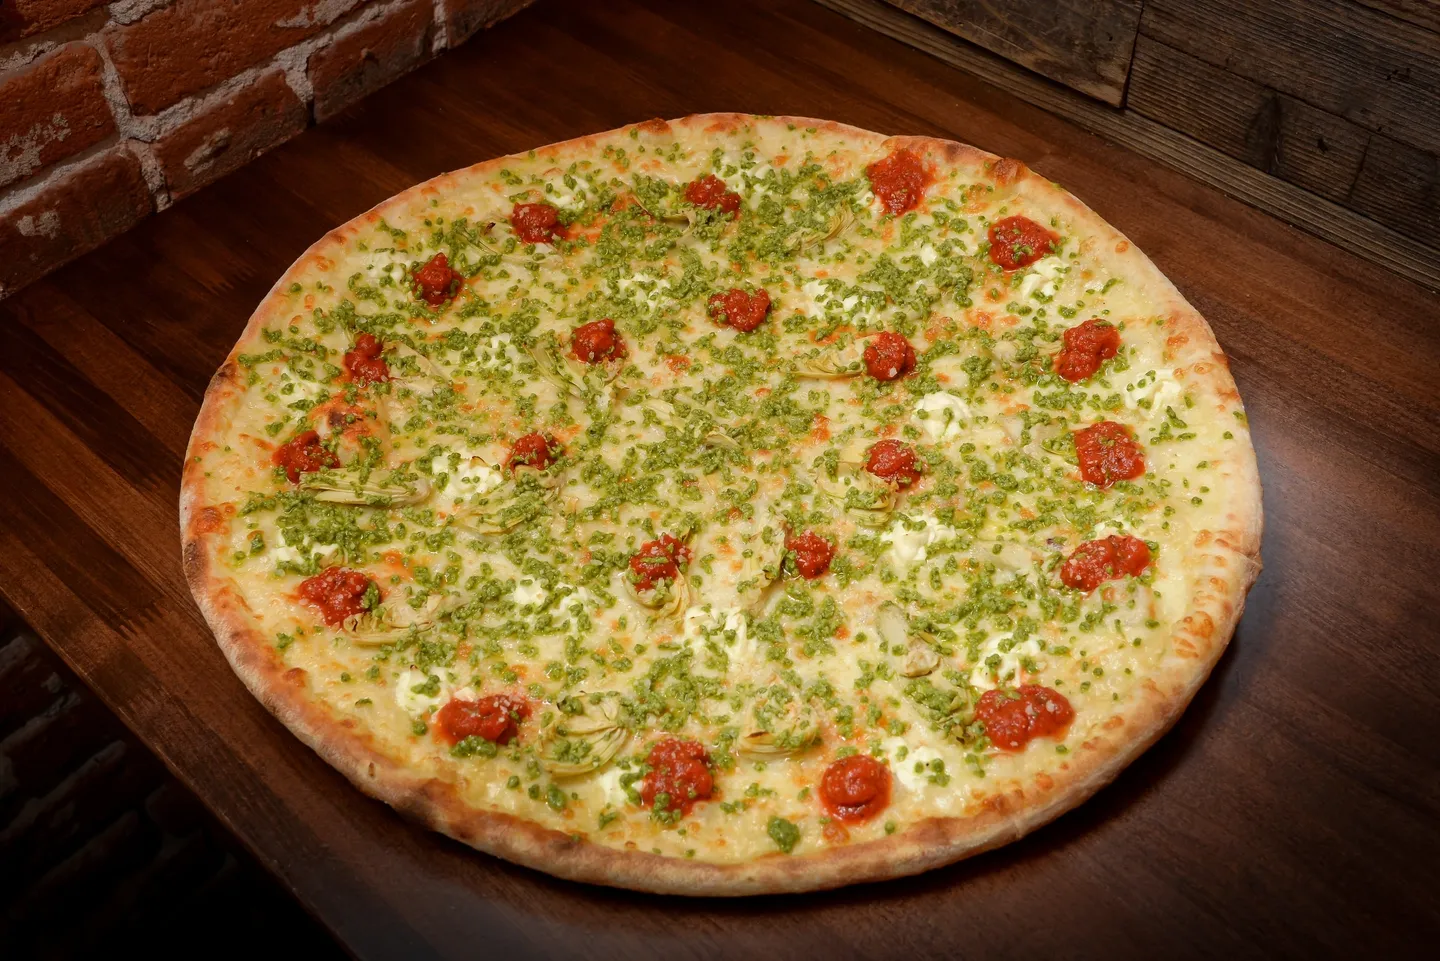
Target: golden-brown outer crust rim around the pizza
[(1226, 566)]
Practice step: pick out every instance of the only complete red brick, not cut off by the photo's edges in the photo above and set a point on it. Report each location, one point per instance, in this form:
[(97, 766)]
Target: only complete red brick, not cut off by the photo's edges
[(260, 116)]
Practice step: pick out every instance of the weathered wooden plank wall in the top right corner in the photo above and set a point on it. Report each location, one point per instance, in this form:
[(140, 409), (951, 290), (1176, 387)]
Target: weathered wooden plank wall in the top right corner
[(1337, 97)]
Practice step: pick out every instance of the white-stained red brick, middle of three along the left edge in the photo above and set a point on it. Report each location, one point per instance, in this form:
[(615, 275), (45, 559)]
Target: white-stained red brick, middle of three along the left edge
[(53, 110)]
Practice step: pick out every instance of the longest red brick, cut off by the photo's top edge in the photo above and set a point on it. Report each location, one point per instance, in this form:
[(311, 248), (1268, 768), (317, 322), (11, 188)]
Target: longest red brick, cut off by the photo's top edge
[(194, 45)]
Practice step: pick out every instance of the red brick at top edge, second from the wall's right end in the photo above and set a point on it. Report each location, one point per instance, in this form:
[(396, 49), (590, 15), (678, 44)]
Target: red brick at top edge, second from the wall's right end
[(362, 63)]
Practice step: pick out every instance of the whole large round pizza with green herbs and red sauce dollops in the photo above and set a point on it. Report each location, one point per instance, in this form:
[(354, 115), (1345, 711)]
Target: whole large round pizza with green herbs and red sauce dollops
[(724, 506)]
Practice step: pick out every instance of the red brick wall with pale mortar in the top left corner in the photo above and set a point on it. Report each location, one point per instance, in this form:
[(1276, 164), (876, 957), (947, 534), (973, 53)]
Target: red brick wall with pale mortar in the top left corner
[(113, 110)]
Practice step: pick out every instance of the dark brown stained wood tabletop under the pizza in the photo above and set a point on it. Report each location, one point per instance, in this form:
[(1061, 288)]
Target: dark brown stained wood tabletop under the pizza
[(1295, 809)]
